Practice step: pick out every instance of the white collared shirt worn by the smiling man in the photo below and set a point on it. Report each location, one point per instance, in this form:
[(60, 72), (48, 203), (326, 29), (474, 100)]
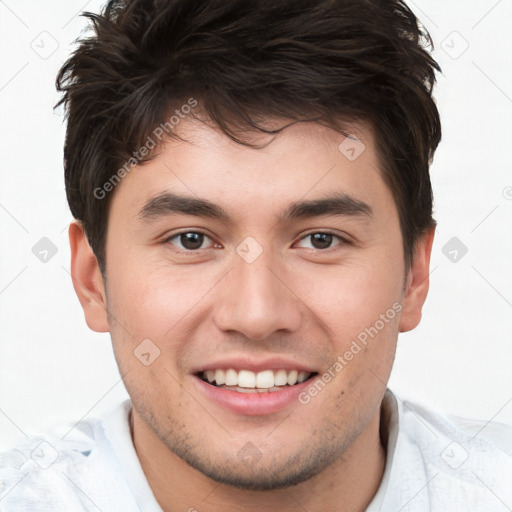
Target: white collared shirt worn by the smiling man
[(434, 463)]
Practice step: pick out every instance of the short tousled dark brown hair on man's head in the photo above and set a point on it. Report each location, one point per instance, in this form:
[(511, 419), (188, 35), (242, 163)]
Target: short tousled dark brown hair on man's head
[(246, 61)]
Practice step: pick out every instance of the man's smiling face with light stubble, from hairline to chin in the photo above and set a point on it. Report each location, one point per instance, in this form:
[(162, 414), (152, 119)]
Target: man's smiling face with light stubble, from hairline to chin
[(254, 298)]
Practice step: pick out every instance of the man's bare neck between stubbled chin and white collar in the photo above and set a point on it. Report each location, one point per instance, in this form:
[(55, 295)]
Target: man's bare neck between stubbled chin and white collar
[(348, 484)]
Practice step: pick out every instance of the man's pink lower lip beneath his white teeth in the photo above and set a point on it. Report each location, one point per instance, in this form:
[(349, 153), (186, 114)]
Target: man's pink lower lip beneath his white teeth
[(253, 404)]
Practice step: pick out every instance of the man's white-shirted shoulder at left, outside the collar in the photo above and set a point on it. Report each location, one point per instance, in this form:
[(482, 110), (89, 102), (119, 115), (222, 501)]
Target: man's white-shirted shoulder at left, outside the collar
[(69, 468)]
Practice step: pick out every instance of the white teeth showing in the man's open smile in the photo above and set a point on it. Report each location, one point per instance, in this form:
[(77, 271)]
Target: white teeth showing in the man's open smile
[(246, 381)]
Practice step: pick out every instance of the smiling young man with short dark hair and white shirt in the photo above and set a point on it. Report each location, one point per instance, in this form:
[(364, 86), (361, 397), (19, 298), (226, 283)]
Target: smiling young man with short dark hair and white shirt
[(253, 227)]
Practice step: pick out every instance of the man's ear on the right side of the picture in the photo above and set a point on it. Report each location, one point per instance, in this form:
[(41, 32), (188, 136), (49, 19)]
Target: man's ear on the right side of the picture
[(416, 287)]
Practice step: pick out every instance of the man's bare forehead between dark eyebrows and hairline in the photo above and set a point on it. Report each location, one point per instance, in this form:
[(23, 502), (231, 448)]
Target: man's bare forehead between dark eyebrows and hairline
[(305, 161)]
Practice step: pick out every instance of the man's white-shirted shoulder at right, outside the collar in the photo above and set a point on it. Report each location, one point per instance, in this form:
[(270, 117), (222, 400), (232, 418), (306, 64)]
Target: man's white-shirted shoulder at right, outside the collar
[(448, 460)]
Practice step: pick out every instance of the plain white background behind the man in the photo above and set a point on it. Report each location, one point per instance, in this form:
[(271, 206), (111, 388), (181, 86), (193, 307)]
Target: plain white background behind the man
[(53, 369)]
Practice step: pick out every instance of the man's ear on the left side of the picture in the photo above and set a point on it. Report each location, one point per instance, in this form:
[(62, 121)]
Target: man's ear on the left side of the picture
[(87, 279)]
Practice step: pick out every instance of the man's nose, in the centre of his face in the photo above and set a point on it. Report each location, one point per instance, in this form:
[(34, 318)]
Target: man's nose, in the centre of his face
[(256, 300)]
